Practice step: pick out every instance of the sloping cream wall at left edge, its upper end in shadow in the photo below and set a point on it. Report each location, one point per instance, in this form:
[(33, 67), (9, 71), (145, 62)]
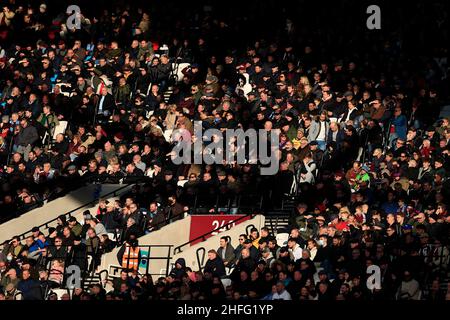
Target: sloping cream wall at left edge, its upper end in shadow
[(54, 208)]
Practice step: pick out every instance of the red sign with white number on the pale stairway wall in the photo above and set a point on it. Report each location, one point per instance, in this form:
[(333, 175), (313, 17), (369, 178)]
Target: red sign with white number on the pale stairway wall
[(202, 224)]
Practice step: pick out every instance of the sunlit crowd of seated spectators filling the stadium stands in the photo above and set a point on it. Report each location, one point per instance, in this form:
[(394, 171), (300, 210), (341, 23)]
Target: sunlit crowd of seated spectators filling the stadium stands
[(363, 153)]
